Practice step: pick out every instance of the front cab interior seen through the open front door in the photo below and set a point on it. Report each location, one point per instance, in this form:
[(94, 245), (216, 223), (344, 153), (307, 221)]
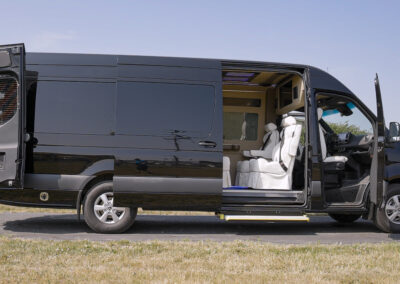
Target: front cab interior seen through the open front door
[(346, 149)]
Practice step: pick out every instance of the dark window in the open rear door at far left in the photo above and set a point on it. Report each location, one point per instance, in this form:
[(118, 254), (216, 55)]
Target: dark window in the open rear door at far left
[(8, 99)]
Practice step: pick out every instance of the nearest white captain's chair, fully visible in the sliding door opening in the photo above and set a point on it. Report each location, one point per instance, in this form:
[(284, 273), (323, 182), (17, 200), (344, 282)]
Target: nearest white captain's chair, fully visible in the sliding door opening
[(277, 174)]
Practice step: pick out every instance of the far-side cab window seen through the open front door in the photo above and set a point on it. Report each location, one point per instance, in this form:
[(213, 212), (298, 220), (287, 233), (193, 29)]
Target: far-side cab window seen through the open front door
[(345, 117)]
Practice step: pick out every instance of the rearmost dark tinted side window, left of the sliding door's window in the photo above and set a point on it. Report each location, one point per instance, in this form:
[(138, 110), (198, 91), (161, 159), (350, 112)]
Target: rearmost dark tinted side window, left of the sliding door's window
[(74, 107)]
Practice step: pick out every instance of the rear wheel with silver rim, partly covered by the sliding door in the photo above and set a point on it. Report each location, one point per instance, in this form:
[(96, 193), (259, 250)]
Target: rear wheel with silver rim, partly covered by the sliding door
[(101, 216)]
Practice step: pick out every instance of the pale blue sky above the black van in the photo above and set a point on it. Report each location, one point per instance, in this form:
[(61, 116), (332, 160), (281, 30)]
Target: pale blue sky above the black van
[(351, 39)]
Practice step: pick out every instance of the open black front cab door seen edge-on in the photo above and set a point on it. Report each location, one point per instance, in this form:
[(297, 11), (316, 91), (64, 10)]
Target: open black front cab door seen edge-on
[(378, 161)]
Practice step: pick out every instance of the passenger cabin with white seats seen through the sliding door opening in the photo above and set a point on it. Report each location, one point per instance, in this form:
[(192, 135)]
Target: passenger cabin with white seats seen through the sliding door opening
[(264, 134)]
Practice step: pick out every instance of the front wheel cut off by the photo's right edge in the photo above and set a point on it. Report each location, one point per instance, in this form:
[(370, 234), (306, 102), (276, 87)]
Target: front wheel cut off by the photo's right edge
[(390, 211)]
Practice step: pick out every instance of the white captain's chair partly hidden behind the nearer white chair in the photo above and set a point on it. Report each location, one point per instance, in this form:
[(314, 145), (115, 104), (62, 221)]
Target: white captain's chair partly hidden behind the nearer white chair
[(270, 139)]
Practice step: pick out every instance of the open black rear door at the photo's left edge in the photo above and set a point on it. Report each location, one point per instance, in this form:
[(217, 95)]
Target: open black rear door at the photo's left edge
[(12, 115)]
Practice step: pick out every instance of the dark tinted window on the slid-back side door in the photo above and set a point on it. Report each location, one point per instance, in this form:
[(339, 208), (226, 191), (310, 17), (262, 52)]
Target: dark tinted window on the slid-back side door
[(160, 108)]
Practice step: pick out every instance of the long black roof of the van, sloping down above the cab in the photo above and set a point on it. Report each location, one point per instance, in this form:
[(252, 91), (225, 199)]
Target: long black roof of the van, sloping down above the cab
[(319, 79)]
